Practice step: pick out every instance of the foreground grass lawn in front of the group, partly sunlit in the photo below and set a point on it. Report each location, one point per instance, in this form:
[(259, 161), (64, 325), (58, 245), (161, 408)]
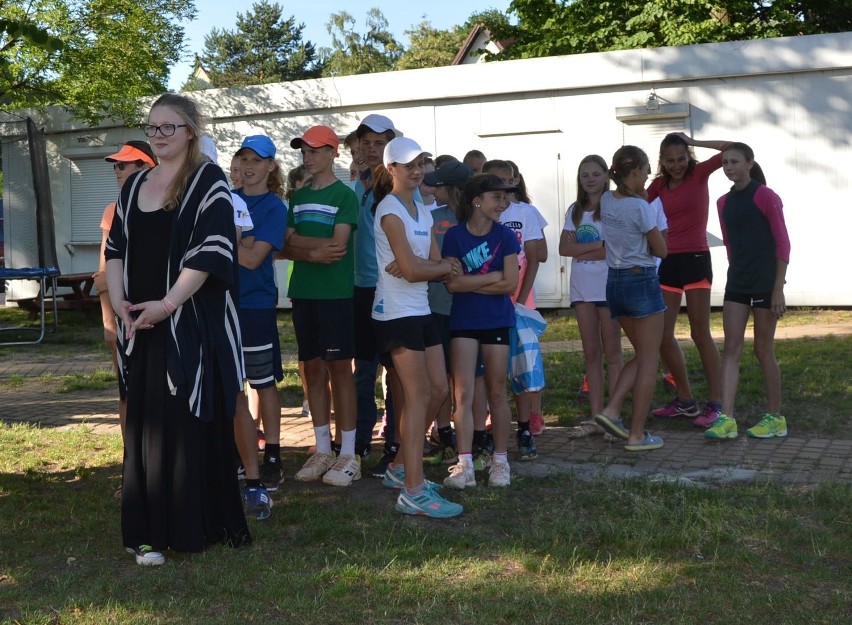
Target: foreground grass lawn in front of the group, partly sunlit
[(550, 550)]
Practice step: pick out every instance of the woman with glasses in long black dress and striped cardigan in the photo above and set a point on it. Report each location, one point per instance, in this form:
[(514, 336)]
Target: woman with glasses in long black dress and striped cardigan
[(171, 272)]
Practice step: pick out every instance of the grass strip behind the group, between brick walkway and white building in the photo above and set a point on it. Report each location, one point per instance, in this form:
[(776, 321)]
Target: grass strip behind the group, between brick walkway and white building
[(817, 381)]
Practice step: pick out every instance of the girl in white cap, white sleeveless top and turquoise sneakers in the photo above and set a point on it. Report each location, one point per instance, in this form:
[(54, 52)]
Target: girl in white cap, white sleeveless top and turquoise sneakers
[(408, 258)]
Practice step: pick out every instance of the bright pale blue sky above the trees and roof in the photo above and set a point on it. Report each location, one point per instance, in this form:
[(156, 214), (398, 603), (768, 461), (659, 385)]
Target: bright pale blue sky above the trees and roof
[(401, 15)]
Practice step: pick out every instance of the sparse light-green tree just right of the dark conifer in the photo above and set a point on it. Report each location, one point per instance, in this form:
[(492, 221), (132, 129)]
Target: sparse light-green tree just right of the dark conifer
[(352, 53)]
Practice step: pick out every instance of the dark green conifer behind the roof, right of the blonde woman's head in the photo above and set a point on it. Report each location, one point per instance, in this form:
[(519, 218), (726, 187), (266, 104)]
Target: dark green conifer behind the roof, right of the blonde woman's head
[(263, 48)]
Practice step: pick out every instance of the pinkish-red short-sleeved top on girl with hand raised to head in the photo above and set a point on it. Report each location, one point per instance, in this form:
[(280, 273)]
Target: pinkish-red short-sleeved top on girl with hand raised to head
[(687, 207)]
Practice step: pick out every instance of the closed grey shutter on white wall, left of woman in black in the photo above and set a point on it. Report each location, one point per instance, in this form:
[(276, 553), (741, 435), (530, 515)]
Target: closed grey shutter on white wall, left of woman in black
[(92, 188)]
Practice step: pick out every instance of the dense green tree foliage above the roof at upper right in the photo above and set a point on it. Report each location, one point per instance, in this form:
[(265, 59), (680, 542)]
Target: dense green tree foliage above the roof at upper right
[(553, 27)]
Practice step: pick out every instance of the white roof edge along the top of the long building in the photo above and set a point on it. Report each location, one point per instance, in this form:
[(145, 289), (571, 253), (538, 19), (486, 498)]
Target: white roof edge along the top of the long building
[(651, 66)]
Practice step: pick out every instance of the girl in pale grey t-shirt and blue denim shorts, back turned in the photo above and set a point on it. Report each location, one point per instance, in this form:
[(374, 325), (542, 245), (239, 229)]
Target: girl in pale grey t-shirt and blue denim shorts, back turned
[(633, 242)]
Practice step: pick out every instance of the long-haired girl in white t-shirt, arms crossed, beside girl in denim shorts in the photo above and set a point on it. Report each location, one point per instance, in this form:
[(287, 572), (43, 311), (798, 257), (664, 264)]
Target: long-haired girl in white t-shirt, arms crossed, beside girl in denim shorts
[(582, 239)]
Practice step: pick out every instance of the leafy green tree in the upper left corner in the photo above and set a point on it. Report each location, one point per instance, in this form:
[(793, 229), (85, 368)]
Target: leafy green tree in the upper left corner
[(96, 58)]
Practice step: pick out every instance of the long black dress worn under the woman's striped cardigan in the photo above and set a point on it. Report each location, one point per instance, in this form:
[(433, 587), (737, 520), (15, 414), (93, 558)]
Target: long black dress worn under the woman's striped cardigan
[(180, 489)]
